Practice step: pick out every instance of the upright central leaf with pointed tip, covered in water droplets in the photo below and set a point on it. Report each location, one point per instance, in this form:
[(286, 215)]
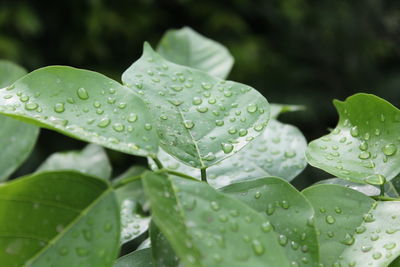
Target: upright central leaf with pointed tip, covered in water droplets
[(200, 119)]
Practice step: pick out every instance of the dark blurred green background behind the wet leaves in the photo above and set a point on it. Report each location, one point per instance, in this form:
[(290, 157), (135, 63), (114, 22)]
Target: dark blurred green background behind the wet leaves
[(293, 51)]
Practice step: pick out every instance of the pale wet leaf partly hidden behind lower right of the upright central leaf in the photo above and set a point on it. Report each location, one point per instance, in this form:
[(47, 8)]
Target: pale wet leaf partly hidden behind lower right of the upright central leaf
[(278, 151)]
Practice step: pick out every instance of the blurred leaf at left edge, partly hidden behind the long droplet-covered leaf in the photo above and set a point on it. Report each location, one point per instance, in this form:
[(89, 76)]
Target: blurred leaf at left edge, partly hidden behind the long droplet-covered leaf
[(17, 139)]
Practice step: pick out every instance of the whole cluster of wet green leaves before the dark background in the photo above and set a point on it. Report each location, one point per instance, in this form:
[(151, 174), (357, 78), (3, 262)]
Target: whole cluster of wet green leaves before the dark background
[(218, 192)]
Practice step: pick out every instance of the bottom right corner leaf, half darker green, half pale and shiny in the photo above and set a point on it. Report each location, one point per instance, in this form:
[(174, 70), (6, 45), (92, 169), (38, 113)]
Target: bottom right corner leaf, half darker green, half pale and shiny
[(354, 229)]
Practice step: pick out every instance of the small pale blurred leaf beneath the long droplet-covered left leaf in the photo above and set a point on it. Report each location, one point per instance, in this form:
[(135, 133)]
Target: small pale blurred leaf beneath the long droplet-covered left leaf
[(92, 160)]
